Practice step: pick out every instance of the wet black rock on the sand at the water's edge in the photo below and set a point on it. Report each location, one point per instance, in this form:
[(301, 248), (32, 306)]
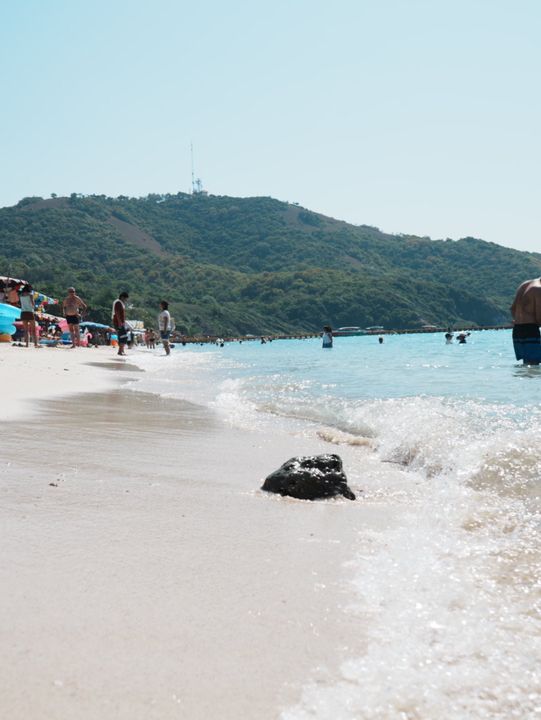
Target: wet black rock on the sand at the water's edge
[(310, 478)]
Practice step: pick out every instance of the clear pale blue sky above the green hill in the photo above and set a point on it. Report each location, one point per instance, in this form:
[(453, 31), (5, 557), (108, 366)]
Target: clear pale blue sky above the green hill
[(417, 116)]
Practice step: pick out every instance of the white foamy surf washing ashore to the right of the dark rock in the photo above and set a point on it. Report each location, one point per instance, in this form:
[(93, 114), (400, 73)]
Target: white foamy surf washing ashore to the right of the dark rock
[(451, 594)]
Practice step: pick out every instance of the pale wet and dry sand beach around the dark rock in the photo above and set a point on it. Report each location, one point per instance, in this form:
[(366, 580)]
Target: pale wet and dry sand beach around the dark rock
[(143, 573)]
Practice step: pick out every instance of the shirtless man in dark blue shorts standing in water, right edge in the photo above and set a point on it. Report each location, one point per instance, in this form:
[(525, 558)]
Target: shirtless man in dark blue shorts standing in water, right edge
[(526, 311)]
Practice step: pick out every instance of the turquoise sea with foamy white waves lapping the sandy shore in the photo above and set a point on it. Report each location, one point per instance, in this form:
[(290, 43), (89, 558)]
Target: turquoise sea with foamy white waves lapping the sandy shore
[(448, 438)]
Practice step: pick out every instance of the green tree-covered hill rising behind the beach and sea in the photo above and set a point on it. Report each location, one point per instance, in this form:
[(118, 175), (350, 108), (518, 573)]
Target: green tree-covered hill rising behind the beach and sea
[(254, 265)]
